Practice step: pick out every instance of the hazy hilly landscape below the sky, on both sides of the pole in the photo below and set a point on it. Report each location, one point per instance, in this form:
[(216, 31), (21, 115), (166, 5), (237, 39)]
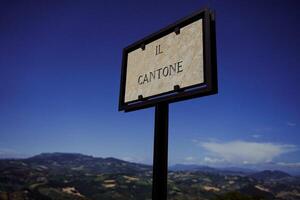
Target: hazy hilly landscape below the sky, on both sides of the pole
[(52, 176)]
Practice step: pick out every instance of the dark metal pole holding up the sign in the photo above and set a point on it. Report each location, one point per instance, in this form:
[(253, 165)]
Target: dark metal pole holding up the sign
[(160, 155)]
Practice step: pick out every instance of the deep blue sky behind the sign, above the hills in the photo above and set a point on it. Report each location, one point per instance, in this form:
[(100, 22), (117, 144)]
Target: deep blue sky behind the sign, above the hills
[(59, 82)]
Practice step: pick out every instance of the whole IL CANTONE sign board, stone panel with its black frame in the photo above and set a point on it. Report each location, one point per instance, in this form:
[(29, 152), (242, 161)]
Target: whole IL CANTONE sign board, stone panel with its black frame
[(173, 64)]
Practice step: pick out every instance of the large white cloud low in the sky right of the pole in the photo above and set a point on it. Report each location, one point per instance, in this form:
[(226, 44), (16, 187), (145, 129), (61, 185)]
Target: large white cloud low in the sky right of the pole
[(243, 152)]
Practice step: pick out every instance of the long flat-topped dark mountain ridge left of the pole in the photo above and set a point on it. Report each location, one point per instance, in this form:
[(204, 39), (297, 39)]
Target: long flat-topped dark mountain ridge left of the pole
[(59, 161)]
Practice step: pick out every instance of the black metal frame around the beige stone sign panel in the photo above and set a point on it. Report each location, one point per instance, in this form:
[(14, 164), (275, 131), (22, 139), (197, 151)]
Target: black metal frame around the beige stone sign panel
[(208, 87)]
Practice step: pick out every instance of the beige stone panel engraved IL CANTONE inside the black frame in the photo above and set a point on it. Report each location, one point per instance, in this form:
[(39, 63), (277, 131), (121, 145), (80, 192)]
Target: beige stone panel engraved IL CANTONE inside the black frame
[(175, 59)]
